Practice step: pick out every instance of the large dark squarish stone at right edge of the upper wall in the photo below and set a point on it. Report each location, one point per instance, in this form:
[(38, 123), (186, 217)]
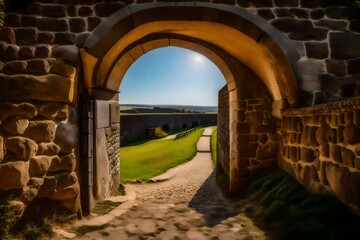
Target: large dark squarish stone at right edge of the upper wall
[(344, 45)]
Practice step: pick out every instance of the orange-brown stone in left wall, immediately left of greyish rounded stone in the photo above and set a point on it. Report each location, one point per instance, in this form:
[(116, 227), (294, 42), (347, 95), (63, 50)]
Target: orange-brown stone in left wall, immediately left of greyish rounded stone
[(41, 131)]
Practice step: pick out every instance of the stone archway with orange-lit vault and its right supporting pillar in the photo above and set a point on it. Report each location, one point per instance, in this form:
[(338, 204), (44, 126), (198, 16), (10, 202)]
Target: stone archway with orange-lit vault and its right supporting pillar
[(255, 59)]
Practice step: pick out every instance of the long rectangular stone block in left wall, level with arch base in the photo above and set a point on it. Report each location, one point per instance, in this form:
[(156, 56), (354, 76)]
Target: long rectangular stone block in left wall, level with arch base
[(27, 87)]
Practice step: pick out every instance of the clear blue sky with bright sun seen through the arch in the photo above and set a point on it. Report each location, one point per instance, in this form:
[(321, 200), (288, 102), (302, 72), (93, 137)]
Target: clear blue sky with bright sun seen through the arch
[(172, 75)]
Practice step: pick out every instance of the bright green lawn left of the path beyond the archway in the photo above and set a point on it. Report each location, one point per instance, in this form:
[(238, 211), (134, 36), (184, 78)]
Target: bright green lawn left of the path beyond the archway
[(146, 159)]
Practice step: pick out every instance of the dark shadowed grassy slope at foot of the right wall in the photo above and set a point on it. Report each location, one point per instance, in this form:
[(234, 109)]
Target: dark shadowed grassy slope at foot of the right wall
[(291, 212)]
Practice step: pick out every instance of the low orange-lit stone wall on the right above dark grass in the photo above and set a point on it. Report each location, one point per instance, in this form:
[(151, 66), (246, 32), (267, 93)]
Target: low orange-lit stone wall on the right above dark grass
[(320, 146)]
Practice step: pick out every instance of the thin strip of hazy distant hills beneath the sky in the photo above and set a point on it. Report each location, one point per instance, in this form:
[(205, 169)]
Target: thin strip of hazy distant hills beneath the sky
[(203, 109)]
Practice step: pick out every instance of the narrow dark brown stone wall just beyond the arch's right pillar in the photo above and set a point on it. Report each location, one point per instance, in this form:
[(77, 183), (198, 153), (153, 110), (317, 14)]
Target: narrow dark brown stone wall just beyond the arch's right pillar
[(223, 131)]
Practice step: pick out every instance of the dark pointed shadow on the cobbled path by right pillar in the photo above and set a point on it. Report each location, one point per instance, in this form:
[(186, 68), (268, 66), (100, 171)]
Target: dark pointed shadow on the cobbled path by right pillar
[(209, 201)]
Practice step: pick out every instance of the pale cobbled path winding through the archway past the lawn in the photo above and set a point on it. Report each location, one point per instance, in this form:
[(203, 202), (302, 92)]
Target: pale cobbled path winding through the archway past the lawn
[(186, 206)]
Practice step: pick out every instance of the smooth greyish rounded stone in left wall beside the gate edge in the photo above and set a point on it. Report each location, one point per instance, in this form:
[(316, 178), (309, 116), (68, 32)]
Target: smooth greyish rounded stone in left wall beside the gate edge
[(66, 137)]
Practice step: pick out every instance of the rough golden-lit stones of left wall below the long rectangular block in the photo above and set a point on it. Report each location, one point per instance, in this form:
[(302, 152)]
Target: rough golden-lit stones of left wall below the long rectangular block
[(38, 154)]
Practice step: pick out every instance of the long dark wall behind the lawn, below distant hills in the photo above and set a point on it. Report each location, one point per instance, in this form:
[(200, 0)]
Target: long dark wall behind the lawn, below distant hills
[(134, 126)]
